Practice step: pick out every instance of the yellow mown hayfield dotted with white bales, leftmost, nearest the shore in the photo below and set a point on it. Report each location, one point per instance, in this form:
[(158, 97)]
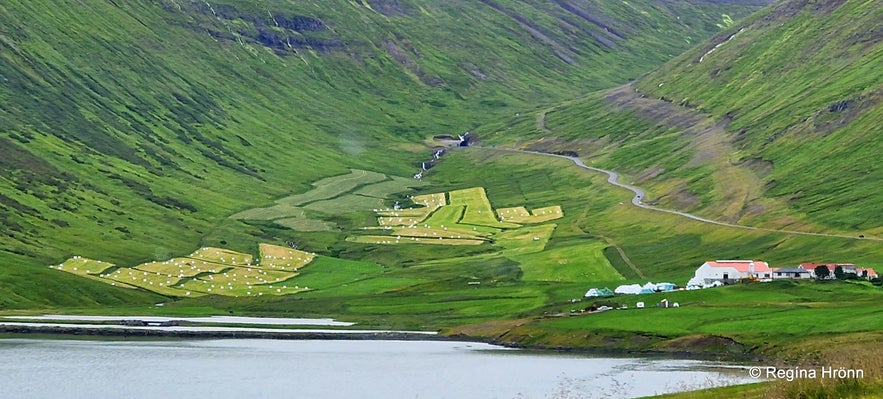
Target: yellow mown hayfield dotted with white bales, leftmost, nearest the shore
[(206, 271)]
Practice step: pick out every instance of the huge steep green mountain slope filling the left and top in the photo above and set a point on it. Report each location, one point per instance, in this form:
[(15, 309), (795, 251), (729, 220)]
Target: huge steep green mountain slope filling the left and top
[(129, 130)]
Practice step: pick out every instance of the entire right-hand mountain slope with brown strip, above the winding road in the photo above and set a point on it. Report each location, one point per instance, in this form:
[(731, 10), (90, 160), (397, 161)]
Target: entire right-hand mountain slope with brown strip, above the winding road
[(775, 121)]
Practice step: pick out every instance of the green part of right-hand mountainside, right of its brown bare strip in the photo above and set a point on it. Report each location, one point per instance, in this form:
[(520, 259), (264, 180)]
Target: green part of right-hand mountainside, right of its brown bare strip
[(800, 88)]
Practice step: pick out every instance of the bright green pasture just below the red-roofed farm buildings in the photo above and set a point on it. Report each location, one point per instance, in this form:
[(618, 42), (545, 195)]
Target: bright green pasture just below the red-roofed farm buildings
[(786, 307)]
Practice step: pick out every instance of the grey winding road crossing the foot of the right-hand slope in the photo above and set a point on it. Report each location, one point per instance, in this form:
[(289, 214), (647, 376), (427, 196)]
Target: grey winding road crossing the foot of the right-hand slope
[(638, 200)]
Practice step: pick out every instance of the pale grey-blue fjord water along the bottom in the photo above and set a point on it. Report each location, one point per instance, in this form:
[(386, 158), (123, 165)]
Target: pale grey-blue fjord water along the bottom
[(41, 368)]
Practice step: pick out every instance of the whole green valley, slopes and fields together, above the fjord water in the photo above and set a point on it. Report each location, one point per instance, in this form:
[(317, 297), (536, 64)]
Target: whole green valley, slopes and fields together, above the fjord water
[(302, 159)]
